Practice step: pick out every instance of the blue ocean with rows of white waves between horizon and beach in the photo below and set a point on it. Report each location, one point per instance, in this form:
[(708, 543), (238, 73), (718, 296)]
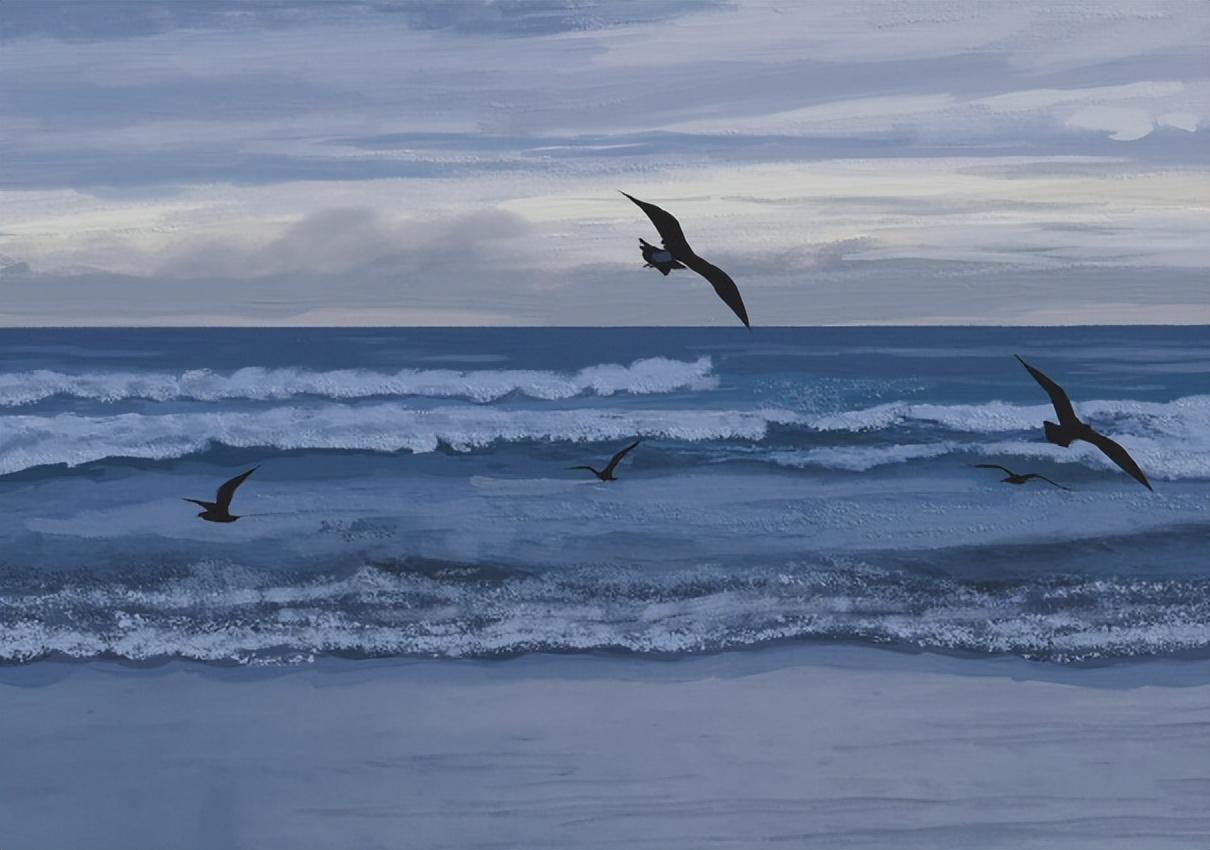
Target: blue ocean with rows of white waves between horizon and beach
[(413, 496)]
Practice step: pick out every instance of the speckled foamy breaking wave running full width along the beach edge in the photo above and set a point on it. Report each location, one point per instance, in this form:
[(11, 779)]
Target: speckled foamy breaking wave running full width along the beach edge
[(217, 612)]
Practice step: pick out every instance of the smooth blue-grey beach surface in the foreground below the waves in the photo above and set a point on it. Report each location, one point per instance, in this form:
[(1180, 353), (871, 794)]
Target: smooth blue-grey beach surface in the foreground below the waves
[(793, 746)]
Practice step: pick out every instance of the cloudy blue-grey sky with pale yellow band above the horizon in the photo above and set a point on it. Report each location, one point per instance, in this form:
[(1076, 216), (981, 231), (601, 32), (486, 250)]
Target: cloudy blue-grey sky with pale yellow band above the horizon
[(459, 162)]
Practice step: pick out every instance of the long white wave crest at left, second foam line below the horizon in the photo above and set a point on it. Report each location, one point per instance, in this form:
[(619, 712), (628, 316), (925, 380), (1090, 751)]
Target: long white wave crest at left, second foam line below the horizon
[(30, 441)]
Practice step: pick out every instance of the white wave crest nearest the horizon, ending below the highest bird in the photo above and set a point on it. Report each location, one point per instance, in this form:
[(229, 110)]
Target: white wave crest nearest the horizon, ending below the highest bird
[(643, 377)]
